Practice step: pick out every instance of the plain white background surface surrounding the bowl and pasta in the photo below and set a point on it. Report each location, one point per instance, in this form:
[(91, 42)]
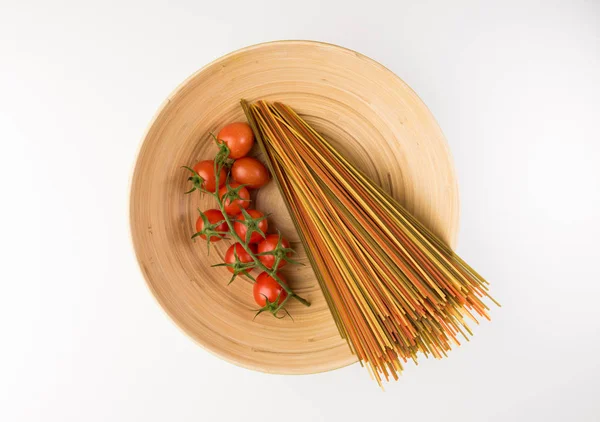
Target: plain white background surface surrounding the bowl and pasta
[(516, 88)]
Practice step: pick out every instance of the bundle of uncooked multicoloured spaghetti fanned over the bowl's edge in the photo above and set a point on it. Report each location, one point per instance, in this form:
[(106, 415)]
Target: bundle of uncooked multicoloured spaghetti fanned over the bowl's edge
[(393, 288)]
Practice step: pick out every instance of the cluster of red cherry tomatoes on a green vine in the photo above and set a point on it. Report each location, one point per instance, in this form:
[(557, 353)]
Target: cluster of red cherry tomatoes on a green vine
[(254, 247)]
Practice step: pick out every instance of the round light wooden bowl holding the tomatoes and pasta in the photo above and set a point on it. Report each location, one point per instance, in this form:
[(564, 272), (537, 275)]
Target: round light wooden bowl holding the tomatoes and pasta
[(372, 116)]
